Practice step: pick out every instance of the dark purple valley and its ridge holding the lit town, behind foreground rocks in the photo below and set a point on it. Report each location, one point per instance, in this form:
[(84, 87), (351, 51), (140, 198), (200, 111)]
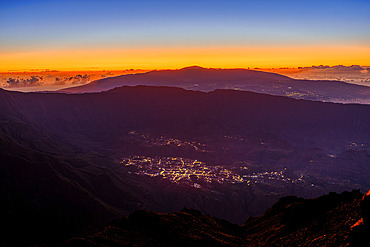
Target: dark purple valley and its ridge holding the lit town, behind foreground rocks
[(71, 162)]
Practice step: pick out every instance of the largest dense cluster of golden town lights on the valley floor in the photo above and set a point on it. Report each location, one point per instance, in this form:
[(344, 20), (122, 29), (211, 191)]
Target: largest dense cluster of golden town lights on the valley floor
[(195, 173)]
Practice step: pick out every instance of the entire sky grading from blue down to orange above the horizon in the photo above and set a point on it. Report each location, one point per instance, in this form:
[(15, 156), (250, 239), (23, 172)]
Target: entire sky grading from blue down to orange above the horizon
[(80, 35)]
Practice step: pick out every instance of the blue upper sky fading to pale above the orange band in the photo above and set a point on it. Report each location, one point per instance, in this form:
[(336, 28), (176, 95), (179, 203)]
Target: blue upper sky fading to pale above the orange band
[(50, 24)]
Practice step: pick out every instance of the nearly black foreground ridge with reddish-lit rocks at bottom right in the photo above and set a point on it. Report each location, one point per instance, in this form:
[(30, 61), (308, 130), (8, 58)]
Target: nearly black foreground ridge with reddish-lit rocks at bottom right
[(330, 220)]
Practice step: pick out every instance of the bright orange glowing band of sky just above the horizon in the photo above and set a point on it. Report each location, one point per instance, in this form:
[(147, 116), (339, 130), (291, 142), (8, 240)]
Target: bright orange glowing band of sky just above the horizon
[(174, 58)]
